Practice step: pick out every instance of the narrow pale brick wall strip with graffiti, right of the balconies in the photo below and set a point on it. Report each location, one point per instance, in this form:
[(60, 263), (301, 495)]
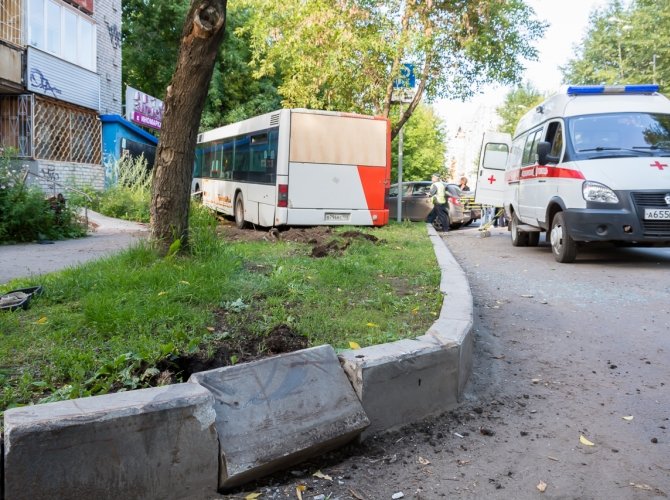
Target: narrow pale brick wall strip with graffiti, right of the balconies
[(107, 15)]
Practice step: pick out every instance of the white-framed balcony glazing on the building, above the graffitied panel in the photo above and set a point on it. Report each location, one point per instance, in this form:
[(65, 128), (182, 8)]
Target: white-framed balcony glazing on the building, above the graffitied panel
[(57, 28)]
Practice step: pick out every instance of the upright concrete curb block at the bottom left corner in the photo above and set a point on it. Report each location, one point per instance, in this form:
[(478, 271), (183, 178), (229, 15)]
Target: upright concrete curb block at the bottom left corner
[(157, 443)]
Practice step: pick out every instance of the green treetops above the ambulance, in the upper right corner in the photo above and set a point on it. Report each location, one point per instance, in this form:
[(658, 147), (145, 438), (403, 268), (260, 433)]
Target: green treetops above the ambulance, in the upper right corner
[(624, 44)]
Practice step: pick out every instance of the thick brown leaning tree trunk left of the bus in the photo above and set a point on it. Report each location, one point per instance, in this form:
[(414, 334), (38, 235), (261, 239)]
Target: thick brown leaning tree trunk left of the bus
[(184, 102)]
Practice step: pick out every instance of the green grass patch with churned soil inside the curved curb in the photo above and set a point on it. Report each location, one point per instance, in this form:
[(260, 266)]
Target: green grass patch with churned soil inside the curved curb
[(134, 319)]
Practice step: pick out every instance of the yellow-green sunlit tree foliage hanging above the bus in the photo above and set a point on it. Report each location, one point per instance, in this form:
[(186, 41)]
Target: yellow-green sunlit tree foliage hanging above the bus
[(342, 55)]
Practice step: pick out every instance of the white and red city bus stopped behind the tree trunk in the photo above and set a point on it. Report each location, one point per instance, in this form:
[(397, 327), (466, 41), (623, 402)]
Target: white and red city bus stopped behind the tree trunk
[(297, 167)]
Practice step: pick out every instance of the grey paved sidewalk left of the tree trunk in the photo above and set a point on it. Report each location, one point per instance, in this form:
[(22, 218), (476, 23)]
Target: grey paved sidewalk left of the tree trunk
[(106, 235)]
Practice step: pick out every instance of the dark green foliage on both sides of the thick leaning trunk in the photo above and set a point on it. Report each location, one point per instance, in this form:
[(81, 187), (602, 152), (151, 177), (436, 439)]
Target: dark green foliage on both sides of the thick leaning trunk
[(151, 38)]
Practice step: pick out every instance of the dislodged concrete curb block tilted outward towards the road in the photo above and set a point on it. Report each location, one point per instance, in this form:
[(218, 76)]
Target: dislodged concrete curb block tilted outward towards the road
[(275, 412)]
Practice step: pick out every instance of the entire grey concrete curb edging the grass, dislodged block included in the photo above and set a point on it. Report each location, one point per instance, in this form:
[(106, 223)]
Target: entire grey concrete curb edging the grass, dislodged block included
[(396, 384)]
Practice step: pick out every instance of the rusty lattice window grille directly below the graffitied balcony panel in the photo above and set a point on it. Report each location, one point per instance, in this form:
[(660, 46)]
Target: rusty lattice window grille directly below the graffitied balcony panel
[(66, 133)]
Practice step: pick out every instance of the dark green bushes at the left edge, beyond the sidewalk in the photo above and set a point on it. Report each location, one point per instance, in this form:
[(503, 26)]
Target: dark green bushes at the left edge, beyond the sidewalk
[(27, 214)]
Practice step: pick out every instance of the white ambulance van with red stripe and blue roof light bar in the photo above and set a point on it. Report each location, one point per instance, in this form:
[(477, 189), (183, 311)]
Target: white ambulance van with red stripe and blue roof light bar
[(591, 164)]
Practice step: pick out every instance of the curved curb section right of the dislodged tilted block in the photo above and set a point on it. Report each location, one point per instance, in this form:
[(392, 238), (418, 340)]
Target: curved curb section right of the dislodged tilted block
[(408, 380)]
